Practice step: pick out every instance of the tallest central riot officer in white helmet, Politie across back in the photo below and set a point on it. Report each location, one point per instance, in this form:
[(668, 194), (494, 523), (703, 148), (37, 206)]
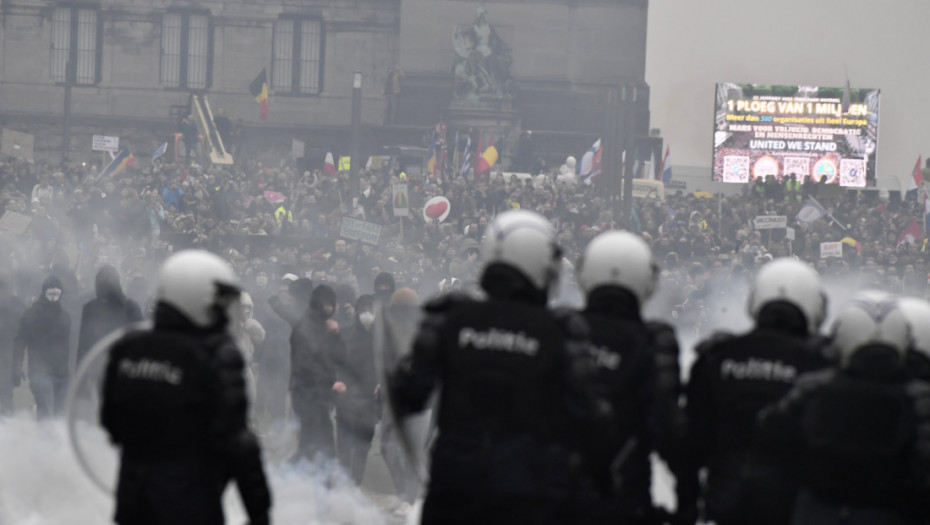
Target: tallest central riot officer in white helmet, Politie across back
[(506, 375)]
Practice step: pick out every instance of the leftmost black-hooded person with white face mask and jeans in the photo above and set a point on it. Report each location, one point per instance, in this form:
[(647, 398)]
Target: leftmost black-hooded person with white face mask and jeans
[(44, 334)]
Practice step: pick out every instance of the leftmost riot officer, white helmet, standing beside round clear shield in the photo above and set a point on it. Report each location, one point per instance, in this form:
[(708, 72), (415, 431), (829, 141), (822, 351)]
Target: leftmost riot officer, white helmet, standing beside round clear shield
[(174, 401)]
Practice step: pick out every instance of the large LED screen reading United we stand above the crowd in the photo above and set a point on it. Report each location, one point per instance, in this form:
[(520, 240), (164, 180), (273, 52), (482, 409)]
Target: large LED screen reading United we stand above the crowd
[(818, 134)]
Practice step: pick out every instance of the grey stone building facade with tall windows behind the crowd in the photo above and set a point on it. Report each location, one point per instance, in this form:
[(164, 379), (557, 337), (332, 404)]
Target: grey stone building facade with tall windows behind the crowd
[(131, 65)]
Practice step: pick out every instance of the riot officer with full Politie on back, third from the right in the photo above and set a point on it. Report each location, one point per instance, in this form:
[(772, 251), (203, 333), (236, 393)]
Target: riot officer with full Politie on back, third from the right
[(734, 378)]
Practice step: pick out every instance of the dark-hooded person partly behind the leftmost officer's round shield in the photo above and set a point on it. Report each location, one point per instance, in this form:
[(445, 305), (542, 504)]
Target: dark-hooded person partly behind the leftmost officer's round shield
[(110, 310)]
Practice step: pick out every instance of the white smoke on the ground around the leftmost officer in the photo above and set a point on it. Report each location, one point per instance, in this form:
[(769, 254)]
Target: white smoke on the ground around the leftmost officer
[(42, 484)]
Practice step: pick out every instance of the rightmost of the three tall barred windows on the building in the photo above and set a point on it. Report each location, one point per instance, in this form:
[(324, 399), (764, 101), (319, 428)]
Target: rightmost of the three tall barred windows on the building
[(297, 56)]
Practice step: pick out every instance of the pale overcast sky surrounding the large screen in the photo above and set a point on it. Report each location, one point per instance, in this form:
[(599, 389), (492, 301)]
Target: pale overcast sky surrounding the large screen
[(883, 44)]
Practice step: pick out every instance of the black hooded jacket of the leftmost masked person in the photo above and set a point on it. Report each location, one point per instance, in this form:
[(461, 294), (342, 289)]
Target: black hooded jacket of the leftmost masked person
[(44, 330)]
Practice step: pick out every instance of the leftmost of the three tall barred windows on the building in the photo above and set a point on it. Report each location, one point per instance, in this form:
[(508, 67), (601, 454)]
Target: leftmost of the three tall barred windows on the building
[(76, 35)]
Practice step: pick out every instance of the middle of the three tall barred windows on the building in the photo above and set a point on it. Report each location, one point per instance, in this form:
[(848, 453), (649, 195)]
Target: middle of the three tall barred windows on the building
[(186, 50)]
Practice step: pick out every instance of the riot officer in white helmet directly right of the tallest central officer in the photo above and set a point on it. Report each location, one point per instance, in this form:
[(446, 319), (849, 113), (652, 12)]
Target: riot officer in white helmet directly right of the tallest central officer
[(636, 371)]
